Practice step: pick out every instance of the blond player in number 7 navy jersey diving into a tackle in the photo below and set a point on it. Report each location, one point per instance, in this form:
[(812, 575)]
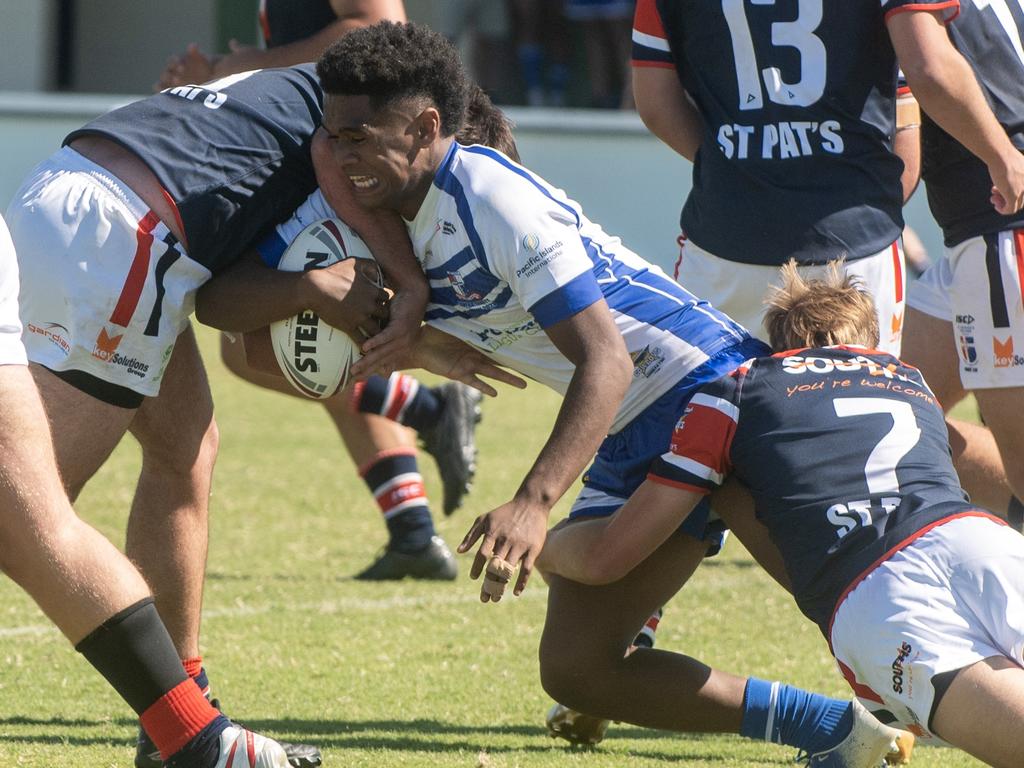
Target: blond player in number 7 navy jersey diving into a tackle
[(845, 453)]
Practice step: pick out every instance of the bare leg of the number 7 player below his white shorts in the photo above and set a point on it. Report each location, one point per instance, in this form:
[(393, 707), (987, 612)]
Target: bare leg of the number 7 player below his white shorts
[(983, 711)]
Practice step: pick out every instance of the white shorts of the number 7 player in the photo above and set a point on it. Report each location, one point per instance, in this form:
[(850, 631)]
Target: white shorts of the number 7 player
[(952, 599)]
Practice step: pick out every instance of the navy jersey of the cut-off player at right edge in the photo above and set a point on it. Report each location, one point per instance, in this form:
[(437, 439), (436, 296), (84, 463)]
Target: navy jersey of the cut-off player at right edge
[(990, 34)]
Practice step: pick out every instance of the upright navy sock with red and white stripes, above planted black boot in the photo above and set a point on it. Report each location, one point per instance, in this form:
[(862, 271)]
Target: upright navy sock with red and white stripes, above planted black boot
[(396, 483)]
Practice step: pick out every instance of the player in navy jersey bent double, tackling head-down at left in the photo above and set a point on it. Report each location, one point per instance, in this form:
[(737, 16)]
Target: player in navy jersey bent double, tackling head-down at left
[(115, 233)]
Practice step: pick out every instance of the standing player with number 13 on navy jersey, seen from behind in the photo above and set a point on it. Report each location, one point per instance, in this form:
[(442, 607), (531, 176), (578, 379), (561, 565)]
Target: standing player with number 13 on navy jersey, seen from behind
[(788, 111)]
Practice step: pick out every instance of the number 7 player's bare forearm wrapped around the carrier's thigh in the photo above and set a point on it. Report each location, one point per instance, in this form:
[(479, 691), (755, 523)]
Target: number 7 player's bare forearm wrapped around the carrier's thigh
[(603, 551)]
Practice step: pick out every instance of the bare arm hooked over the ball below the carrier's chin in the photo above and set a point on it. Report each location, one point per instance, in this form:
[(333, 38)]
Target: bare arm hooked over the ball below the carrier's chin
[(386, 234)]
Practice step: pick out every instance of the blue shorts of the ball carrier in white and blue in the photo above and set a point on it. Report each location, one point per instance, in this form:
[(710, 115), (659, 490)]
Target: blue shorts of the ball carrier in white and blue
[(624, 459)]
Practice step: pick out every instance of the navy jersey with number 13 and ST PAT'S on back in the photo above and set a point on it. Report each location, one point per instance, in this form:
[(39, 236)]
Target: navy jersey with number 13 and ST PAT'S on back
[(798, 101)]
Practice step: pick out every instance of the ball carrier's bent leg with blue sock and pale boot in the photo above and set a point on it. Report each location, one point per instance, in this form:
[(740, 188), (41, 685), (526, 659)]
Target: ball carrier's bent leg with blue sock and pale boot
[(585, 664)]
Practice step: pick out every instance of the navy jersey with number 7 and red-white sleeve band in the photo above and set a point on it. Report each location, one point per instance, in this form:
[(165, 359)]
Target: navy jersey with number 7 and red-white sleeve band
[(844, 450)]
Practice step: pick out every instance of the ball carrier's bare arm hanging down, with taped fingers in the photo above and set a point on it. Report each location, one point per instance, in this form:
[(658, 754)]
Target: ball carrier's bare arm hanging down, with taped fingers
[(516, 531)]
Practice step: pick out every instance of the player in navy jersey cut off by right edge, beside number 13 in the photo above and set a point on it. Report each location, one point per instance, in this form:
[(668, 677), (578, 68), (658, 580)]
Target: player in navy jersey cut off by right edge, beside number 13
[(967, 311)]
